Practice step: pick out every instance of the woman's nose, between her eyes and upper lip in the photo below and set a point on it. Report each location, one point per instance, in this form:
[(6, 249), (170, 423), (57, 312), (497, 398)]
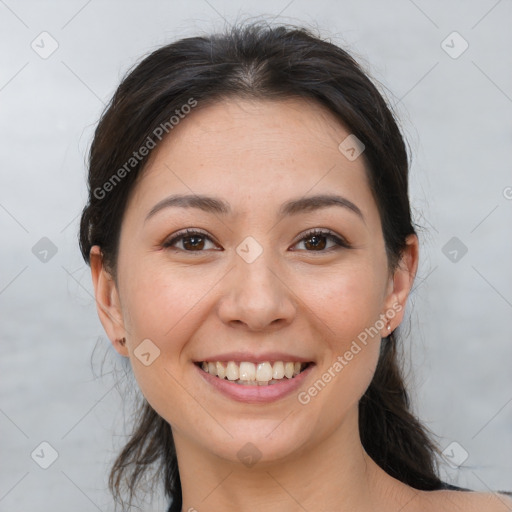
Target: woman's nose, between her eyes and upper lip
[(257, 296)]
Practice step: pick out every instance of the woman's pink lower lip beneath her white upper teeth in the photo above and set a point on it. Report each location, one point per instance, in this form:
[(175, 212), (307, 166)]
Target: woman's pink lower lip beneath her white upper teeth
[(256, 394)]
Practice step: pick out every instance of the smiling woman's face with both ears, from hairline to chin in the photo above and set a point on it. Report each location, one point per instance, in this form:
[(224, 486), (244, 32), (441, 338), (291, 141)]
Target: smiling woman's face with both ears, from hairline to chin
[(253, 286)]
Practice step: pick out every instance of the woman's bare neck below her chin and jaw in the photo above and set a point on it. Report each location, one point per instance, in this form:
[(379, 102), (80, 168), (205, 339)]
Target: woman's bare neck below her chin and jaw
[(334, 474)]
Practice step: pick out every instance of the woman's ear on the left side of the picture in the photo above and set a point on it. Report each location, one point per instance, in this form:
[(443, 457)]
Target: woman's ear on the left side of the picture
[(107, 301)]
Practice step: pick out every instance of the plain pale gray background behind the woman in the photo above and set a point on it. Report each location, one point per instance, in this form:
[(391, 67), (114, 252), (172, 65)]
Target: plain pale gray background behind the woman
[(455, 113)]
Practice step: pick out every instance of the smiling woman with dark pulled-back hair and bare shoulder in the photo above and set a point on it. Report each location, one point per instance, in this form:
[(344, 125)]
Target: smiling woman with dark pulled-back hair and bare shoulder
[(252, 251)]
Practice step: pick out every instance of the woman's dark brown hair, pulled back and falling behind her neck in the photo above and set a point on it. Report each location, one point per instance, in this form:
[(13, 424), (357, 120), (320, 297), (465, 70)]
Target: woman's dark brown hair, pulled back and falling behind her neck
[(262, 62)]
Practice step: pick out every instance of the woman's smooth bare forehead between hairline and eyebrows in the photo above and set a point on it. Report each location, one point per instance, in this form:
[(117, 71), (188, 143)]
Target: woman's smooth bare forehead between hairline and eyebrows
[(245, 150)]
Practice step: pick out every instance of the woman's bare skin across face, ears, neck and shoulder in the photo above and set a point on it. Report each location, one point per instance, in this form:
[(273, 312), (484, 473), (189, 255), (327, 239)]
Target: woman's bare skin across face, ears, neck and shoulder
[(257, 155)]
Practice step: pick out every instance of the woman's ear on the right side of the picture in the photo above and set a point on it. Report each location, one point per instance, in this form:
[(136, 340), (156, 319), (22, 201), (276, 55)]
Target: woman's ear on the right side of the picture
[(400, 284)]
